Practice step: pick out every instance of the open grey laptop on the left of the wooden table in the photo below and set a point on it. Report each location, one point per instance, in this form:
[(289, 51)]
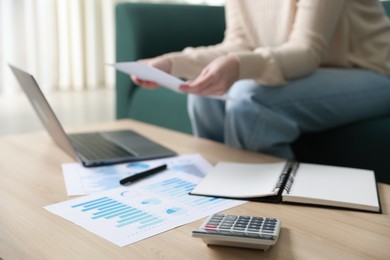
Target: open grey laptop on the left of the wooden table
[(91, 149)]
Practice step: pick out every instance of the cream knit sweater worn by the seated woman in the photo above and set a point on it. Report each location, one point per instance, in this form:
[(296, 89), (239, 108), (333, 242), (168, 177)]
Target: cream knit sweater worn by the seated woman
[(278, 40)]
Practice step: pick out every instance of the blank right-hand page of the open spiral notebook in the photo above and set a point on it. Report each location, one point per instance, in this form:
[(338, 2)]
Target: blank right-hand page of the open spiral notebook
[(332, 183)]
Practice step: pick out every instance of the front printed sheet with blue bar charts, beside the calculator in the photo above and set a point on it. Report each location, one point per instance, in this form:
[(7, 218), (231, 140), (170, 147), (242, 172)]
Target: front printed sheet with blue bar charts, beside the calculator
[(146, 208)]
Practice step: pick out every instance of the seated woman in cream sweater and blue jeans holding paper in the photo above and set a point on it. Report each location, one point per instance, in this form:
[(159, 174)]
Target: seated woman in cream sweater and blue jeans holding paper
[(288, 67)]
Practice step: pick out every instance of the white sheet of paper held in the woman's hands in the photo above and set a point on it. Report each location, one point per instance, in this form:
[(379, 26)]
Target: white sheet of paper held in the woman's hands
[(149, 73)]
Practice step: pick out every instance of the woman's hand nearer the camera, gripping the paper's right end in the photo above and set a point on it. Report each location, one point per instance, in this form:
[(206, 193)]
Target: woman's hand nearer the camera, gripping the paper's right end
[(215, 79)]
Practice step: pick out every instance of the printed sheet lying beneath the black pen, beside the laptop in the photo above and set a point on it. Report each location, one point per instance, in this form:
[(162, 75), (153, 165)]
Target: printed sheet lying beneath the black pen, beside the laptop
[(83, 181)]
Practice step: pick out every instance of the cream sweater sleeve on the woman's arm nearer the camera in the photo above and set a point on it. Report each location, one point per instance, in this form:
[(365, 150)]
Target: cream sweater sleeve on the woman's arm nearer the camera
[(312, 30)]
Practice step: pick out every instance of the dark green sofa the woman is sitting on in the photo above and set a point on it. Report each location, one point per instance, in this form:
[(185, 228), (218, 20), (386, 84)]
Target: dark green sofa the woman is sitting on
[(147, 30)]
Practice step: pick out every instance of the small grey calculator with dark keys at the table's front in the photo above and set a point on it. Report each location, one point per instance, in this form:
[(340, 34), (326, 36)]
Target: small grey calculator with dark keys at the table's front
[(239, 231)]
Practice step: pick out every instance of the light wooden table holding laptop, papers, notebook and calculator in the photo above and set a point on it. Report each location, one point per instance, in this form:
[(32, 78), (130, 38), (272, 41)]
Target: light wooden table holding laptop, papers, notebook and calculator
[(31, 178)]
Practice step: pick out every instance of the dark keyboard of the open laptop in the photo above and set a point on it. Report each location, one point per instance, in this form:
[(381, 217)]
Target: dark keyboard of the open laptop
[(94, 146)]
